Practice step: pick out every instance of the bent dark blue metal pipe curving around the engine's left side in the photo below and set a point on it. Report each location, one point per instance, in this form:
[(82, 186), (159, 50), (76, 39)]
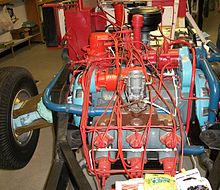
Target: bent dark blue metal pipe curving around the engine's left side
[(68, 108)]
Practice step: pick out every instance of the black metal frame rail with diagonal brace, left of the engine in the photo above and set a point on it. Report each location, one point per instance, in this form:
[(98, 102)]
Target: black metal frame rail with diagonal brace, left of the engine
[(65, 167)]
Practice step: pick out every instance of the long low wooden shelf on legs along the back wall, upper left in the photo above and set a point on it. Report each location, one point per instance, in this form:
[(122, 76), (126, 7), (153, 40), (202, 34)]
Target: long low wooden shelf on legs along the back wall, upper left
[(19, 41)]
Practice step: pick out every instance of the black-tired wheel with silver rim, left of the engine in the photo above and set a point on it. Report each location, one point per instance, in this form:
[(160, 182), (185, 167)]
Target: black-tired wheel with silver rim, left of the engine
[(15, 153)]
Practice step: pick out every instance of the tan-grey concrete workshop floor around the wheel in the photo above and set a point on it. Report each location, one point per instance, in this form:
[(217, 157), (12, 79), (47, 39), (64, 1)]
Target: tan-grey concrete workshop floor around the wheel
[(43, 63)]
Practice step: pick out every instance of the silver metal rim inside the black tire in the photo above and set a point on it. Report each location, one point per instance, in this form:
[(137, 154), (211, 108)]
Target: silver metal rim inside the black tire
[(24, 138)]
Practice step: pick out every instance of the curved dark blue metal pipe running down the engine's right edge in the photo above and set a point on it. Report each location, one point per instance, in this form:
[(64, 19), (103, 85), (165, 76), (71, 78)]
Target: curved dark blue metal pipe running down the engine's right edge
[(213, 86)]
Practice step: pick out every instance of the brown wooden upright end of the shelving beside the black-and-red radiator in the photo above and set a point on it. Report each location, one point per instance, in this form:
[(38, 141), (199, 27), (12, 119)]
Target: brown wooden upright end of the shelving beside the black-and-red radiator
[(33, 11)]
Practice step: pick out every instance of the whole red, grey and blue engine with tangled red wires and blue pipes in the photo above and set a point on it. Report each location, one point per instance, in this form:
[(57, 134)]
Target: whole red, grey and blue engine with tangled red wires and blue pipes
[(132, 93)]
